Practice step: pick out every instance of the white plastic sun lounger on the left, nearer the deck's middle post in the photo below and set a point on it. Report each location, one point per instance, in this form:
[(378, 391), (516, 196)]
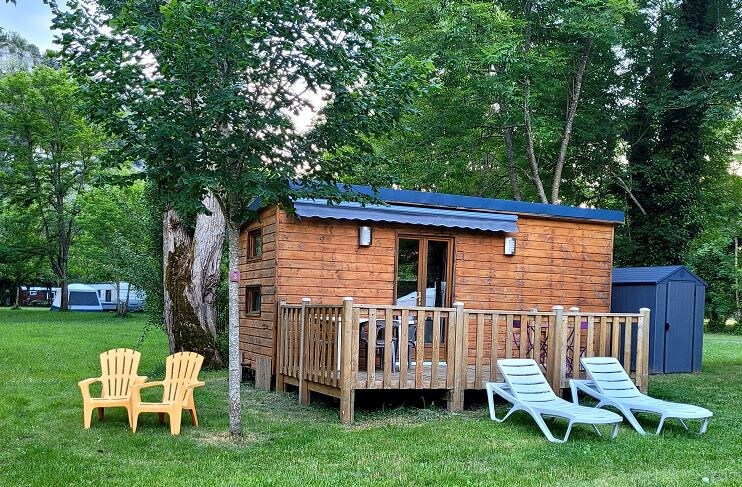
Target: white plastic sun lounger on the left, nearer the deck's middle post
[(526, 388)]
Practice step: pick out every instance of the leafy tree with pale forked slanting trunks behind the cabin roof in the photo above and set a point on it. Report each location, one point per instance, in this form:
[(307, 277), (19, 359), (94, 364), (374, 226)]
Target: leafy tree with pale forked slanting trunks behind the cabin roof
[(524, 96)]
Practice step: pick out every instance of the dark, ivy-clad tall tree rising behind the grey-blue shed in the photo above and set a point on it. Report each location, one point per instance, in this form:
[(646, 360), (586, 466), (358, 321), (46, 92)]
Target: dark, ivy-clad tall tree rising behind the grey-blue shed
[(683, 94)]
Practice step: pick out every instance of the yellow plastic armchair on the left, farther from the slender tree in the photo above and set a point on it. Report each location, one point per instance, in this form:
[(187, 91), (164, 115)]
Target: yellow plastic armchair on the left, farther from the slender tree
[(118, 375)]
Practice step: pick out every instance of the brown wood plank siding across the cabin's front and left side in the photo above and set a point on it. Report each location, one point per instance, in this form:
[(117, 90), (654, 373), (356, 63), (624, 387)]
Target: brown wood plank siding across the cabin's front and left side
[(556, 262)]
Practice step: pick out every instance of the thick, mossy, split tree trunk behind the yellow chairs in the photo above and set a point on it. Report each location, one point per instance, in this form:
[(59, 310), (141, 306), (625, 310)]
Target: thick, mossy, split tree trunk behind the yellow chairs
[(191, 277)]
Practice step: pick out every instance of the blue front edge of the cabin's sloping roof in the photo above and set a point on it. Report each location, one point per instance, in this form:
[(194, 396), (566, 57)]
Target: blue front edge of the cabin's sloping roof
[(443, 200)]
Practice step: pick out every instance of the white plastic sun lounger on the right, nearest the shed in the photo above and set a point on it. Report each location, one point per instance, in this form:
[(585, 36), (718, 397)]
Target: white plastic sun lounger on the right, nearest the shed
[(611, 386)]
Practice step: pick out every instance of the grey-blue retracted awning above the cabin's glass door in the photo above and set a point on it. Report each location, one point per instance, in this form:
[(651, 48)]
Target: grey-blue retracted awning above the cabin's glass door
[(413, 215)]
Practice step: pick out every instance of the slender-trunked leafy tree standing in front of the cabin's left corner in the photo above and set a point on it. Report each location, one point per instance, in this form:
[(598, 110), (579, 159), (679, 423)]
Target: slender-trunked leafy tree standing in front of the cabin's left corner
[(204, 93)]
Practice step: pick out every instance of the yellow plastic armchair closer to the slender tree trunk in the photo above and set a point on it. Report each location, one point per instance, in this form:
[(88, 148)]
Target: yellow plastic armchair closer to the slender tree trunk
[(181, 377)]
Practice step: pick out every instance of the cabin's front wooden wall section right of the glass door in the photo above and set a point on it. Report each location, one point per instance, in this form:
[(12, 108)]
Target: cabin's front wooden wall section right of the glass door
[(556, 262)]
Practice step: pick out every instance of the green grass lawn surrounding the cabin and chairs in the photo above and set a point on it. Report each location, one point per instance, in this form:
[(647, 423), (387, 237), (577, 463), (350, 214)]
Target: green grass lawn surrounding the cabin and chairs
[(43, 355)]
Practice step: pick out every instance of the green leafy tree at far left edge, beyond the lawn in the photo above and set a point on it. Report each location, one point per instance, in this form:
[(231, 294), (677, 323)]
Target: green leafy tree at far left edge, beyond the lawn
[(51, 153)]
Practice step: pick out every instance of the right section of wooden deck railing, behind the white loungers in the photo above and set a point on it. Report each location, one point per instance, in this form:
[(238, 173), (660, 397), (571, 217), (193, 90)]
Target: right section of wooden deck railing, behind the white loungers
[(553, 340)]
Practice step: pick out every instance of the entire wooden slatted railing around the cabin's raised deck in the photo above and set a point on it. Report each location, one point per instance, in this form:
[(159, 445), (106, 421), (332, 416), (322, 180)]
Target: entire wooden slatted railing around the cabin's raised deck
[(393, 347)]
